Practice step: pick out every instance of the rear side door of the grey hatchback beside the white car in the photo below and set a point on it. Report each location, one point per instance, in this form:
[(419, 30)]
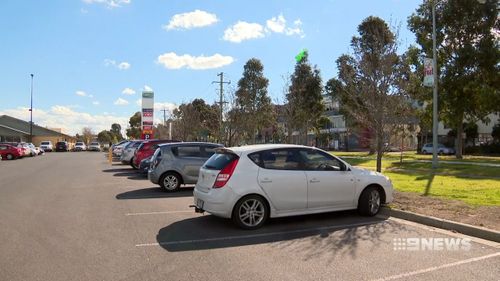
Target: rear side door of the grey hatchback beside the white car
[(189, 160)]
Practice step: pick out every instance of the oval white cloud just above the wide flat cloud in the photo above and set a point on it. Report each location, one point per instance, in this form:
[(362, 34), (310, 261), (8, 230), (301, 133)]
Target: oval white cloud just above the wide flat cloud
[(191, 20)]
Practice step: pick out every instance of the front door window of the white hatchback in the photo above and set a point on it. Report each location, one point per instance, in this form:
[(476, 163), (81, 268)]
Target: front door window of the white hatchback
[(316, 160)]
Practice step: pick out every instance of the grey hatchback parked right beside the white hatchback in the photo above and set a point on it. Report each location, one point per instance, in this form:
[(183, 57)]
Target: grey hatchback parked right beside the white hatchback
[(179, 163)]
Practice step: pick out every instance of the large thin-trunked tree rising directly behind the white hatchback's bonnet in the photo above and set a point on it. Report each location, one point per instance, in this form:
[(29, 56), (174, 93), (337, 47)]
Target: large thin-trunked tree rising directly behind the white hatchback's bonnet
[(369, 84)]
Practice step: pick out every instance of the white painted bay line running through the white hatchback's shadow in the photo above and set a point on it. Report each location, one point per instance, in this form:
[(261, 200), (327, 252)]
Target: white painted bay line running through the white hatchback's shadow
[(216, 239)]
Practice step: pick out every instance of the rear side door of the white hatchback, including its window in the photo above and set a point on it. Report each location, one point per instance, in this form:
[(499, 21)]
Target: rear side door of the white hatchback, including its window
[(282, 179)]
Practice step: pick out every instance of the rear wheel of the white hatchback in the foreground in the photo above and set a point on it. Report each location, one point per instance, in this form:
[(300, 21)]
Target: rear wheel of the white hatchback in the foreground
[(251, 212)]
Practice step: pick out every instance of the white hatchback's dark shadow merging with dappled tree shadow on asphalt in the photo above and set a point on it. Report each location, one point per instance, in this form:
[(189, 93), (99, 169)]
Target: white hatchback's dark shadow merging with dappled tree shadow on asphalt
[(336, 233)]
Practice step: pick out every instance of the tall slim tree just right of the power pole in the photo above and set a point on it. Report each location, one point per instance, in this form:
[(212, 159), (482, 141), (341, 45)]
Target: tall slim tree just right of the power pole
[(252, 101)]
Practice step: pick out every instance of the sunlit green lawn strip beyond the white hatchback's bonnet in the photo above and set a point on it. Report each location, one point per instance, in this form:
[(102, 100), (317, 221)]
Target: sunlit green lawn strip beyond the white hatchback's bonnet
[(475, 185)]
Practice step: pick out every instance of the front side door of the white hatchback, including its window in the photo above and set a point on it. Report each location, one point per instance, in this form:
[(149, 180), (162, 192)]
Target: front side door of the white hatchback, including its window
[(329, 185)]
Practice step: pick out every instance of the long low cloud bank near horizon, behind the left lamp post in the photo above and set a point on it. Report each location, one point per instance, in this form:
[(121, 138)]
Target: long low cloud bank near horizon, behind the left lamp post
[(60, 116)]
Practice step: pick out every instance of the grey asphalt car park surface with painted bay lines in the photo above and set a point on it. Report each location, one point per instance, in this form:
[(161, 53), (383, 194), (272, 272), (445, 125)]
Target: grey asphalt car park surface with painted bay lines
[(77, 217)]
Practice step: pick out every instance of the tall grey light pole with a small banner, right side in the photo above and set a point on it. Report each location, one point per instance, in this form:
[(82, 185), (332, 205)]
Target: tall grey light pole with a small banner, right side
[(434, 92)]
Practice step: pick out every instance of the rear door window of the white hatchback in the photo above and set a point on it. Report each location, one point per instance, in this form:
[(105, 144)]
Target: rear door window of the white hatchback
[(281, 159)]
